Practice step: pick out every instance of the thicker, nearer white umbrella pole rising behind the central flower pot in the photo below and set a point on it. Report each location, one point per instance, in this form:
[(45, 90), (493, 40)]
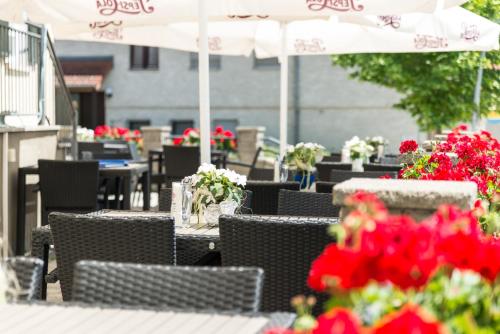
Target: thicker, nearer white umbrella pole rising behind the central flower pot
[(204, 86)]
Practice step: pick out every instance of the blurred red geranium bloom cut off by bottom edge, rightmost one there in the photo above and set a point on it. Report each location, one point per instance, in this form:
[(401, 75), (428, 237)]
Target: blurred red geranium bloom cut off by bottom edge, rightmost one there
[(409, 320)]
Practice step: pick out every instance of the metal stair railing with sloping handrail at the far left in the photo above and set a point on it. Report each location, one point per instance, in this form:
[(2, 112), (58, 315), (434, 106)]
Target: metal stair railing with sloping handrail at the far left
[(28, 62)]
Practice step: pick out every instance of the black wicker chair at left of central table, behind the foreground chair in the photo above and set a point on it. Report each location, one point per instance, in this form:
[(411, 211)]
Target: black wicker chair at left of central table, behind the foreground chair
[(134, 239)]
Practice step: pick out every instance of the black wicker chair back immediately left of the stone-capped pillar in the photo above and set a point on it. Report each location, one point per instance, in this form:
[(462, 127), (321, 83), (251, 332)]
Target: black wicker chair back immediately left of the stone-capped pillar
[(299, 203)]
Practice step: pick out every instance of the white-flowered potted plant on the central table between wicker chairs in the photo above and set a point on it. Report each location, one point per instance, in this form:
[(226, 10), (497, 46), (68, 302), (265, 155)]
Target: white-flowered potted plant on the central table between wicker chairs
[(216, 192)]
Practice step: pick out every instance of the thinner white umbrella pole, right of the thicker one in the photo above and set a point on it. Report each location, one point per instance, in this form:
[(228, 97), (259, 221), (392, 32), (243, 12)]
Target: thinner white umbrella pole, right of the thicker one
[(283, 91)]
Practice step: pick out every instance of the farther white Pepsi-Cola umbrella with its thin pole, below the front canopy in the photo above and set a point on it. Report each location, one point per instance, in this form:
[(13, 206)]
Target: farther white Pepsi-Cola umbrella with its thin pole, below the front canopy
[(453, 29)]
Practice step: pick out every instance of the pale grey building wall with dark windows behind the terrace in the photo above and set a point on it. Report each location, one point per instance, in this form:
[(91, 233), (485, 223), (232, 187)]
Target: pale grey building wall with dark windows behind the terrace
[(325, 105)]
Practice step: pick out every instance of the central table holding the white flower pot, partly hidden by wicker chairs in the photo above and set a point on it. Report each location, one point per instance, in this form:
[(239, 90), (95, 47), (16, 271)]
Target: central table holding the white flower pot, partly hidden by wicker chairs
[(192, 242)]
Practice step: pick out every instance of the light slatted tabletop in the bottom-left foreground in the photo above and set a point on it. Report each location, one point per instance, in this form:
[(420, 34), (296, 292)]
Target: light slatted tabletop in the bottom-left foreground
[(73, 318)]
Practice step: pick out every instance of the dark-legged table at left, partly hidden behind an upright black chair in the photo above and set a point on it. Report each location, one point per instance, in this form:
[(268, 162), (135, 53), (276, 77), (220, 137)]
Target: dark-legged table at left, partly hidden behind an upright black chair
[(126, 173)]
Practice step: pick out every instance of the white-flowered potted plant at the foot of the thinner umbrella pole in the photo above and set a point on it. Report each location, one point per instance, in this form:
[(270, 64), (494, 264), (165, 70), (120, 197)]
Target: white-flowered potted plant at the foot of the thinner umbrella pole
[(302, 158)]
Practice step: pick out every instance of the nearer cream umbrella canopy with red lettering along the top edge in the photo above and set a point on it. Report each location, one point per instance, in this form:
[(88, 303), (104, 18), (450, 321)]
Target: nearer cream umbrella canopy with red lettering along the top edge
[(162, 11)]
